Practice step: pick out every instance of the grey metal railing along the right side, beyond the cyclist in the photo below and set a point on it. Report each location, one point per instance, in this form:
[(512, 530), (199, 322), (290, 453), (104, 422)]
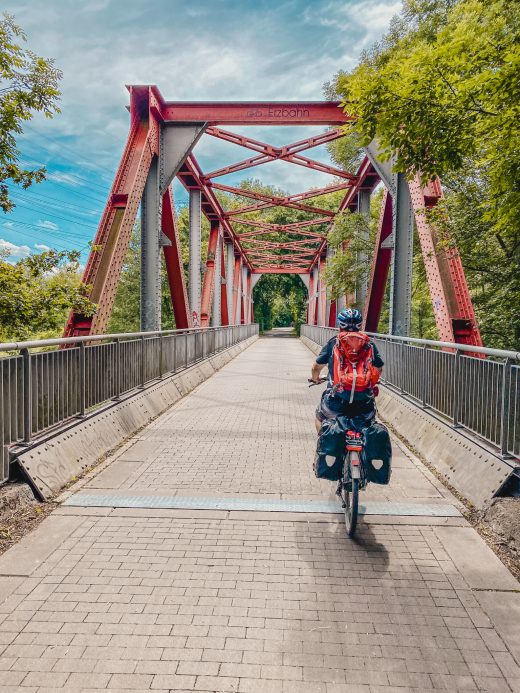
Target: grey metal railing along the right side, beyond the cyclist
[(481, 395)]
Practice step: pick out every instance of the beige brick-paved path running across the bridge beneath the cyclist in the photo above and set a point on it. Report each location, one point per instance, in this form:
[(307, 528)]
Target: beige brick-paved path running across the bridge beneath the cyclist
[(121, 590)]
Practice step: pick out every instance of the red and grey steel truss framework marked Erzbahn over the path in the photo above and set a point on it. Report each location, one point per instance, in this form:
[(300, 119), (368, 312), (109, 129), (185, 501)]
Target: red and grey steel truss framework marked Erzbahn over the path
[(242, 245)]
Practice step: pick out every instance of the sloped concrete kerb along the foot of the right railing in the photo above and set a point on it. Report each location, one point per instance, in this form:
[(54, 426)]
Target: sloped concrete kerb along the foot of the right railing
[(474, 471)]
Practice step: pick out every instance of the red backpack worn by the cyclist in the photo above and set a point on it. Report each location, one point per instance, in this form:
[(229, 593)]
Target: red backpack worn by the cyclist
[(353, 369)]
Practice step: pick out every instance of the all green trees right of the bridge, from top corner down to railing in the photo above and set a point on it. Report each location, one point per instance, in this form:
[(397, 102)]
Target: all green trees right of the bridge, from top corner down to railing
[(440, 93)]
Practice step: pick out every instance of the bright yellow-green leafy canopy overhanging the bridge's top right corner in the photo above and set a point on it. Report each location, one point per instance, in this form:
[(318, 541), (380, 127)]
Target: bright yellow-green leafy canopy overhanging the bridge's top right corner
[(442, 90)]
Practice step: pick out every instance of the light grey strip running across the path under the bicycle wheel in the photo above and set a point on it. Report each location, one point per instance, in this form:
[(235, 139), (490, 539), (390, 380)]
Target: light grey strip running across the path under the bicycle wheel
[(106, 500)]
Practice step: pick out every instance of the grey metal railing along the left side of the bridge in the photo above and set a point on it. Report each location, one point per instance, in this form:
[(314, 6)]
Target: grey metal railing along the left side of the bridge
[(42, 389)]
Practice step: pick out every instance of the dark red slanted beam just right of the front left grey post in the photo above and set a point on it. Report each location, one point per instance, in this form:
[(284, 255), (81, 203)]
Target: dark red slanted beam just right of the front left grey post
[(174, 266)]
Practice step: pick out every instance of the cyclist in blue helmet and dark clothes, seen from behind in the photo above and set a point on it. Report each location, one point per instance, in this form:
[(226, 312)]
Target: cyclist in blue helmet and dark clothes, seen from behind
[(333, 402)]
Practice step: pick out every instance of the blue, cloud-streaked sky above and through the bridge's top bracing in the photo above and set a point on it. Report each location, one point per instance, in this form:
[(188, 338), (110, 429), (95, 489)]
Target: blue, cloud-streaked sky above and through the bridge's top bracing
[(219, 50)]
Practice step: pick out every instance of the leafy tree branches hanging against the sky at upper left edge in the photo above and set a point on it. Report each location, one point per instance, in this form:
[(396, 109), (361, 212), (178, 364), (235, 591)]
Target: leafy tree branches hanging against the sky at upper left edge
[(28, 84)]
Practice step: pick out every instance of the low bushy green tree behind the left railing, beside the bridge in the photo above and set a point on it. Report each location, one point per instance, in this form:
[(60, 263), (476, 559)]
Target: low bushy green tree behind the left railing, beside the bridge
[(37, 293)]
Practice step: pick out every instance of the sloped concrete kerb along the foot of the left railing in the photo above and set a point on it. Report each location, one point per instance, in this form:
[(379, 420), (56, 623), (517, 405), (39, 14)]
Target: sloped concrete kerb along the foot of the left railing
[(54, 461)]
